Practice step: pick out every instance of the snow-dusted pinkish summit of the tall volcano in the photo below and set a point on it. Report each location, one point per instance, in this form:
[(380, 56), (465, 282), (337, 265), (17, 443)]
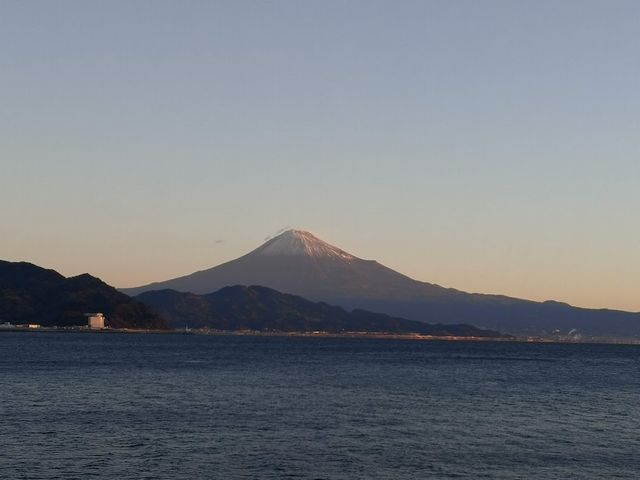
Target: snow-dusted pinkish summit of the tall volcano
[(300, 243)]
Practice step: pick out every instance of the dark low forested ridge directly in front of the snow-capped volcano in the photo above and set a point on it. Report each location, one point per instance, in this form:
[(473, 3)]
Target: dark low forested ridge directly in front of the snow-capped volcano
[(261, 308)]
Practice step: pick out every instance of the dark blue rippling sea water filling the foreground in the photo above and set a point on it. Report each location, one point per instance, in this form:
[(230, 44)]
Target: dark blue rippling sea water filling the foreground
[(116, 406)]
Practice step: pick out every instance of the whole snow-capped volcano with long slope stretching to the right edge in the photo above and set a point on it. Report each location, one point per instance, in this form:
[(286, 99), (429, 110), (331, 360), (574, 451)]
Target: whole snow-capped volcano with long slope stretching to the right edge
[(297, 262)]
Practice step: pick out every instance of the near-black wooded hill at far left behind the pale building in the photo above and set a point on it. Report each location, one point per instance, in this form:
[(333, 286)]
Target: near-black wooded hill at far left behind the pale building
[(31, 294)]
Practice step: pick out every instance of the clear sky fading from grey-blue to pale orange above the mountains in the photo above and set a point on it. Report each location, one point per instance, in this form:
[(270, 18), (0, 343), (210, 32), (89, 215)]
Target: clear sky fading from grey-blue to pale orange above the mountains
[(488, 146)]
